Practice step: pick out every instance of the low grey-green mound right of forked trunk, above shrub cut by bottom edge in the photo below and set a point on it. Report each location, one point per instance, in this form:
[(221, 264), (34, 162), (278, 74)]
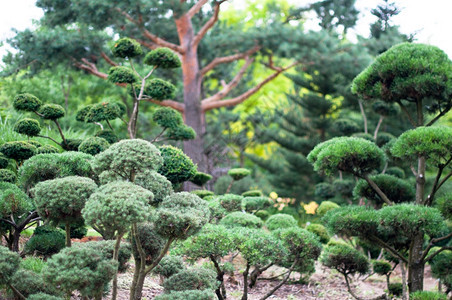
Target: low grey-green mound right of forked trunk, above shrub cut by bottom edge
[(192, 279)]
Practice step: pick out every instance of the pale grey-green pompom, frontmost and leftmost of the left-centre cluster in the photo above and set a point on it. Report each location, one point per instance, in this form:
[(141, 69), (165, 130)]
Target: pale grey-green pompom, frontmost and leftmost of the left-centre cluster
[(116, 206)]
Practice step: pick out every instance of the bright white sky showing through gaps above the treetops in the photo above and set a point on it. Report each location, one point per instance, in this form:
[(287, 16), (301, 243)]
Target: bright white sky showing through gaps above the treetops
[(430, 20)]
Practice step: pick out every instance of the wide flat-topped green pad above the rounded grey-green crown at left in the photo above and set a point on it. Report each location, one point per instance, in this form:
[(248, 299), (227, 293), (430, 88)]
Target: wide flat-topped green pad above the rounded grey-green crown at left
[(50, 166)]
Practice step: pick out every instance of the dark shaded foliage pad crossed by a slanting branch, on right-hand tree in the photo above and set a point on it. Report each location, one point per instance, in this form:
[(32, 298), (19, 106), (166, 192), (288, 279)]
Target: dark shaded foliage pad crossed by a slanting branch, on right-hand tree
[(396, 189)]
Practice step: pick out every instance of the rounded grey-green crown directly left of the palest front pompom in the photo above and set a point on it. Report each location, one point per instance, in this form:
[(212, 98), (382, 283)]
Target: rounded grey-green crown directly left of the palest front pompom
[(62, 199)]
